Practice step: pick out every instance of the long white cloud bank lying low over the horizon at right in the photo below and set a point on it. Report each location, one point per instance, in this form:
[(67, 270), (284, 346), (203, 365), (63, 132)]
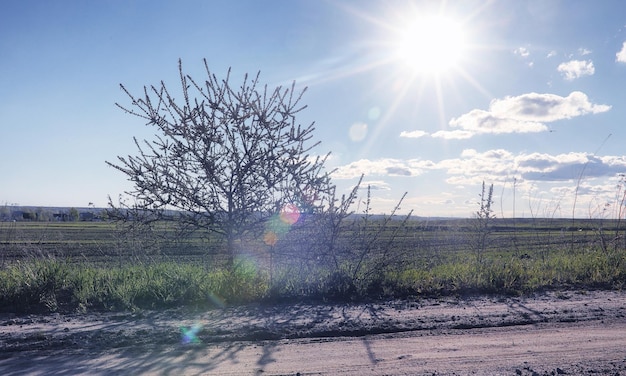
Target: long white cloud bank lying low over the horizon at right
[(539, 176)]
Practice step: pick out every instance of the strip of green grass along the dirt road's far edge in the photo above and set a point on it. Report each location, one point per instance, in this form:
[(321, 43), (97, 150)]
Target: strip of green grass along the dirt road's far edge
[(49, 284)]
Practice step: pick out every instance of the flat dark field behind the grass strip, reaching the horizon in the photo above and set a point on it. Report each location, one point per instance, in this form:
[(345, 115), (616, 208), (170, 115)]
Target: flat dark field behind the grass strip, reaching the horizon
[(99, 241)]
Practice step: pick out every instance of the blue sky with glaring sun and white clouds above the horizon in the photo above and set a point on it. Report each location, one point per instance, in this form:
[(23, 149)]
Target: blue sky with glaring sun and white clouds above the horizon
[(527, 95)]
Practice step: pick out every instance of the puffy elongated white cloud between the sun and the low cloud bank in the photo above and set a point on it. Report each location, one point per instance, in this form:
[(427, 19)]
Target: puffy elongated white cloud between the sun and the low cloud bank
[(522, 114)]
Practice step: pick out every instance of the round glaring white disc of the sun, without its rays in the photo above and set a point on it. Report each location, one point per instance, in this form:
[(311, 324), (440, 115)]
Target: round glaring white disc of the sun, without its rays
[(431, 45)]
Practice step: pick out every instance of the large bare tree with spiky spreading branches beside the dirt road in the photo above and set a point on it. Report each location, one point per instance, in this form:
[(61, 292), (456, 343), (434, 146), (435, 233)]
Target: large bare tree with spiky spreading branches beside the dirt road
[(225, 157)]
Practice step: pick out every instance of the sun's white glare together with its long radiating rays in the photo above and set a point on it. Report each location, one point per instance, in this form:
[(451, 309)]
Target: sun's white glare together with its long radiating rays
[(417, 53)]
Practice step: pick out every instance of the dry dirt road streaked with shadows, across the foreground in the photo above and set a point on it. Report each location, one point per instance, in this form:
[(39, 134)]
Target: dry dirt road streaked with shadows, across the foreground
[(551, 333)]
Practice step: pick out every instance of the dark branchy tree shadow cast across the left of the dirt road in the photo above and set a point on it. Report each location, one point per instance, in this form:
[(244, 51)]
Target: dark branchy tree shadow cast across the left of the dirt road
[(170, 343)]
